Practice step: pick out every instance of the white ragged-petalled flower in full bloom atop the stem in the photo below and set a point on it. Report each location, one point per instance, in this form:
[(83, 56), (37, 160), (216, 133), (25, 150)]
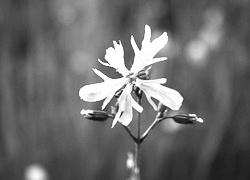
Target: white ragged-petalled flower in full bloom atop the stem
[(152, 88)]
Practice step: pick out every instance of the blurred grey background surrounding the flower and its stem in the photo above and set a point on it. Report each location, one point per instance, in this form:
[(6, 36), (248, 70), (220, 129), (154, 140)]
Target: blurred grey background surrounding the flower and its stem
[(47, 50)]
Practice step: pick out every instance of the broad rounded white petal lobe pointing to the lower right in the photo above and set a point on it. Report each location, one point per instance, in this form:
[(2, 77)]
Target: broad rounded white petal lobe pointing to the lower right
[(169, 97)]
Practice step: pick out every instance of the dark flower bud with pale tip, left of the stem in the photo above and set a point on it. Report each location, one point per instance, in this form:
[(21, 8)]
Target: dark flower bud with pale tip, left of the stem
[(95, 115)]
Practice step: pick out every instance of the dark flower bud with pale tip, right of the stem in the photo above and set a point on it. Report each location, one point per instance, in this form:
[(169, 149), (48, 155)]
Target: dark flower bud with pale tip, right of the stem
[(187, 119)]
